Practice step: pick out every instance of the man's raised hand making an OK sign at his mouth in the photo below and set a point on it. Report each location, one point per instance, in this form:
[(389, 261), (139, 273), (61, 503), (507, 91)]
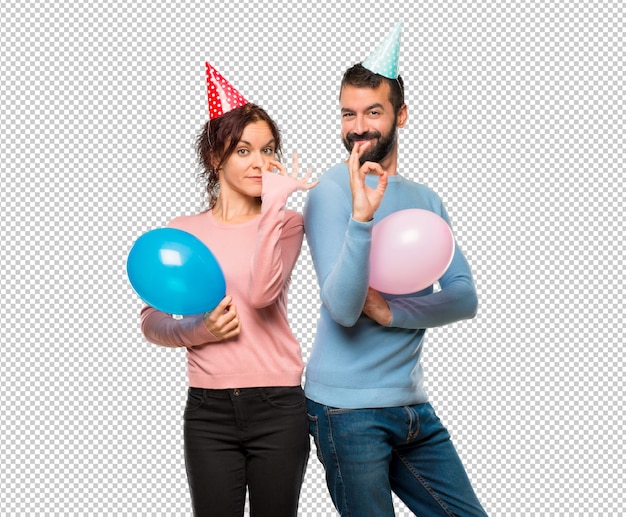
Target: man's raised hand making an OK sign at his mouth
[(365, 200)]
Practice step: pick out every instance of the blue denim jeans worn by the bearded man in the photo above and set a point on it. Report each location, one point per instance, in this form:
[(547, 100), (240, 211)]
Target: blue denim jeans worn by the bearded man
[(368, 453)]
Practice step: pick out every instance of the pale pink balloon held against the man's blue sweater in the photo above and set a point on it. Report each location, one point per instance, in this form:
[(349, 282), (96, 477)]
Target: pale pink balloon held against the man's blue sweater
[(411, 250)]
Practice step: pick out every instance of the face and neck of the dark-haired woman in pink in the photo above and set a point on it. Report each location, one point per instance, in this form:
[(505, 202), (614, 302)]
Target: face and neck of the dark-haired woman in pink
[(241, 173)]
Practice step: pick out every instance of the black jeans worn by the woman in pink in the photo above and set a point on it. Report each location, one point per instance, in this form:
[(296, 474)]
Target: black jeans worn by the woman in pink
[(253, 437)]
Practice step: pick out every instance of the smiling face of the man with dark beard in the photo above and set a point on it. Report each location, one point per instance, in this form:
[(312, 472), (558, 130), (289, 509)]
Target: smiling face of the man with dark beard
[(368, 115)]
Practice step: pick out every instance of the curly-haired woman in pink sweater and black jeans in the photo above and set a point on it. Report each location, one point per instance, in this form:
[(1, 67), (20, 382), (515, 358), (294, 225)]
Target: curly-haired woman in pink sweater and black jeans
[(245, 423)]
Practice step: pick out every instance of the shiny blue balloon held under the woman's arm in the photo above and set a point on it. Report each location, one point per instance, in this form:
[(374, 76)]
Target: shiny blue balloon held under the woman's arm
[(174, 272)]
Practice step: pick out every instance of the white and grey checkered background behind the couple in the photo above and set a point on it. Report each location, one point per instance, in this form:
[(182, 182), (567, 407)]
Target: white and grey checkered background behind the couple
[(516, 120)]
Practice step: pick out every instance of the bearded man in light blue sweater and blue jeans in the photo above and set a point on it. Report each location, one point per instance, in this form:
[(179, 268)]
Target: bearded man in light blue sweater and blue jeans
[(369, 414)]
